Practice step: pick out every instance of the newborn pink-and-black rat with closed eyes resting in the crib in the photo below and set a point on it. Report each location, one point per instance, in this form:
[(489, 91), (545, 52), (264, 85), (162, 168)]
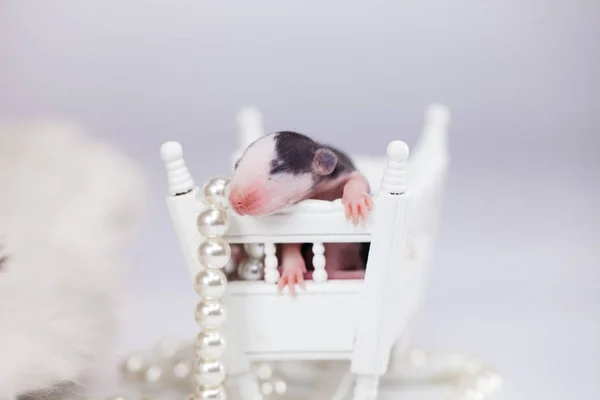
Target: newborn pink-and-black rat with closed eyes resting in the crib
[(285, 167)]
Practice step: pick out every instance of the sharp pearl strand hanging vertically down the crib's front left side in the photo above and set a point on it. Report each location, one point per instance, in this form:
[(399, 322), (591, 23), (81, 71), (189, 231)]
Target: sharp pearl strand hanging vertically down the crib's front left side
[(214, 254)]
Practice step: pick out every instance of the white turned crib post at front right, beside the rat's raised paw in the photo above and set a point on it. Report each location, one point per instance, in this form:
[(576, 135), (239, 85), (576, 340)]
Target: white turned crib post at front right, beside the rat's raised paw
[(381, 305)]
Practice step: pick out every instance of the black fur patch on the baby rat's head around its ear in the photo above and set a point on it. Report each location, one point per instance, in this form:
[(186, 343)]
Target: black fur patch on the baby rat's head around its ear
[(295, 153)]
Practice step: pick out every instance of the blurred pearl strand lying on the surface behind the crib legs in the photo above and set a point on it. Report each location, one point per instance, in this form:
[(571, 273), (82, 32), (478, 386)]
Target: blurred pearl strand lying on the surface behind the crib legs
[(469, 378)]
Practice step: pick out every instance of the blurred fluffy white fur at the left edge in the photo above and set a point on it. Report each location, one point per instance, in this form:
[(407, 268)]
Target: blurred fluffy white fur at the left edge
[(68, 206)]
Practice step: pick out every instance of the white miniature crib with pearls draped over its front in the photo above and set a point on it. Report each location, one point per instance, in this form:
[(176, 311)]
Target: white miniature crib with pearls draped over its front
[(356, 320)]
